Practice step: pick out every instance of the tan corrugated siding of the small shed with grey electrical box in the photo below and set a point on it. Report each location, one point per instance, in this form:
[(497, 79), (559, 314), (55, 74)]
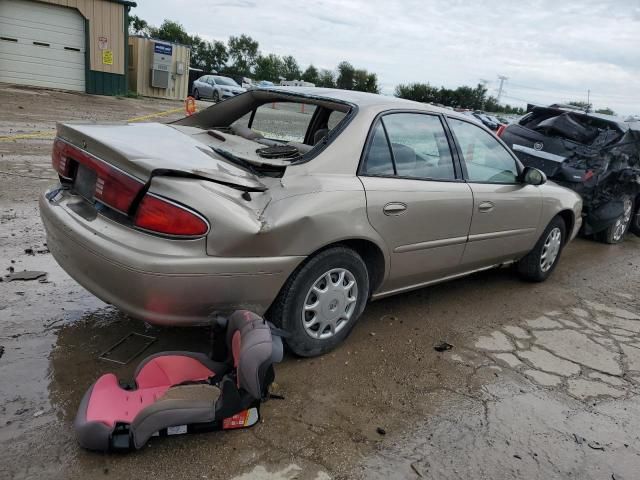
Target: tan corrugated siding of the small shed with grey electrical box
[(140, 70)]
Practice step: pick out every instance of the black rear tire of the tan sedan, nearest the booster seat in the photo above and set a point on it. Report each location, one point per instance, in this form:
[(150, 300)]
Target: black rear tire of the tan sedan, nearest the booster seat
[(329, 330)]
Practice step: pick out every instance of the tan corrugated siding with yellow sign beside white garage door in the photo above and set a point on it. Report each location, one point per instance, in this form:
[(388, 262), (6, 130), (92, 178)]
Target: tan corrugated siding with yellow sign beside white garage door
[(105, 19)]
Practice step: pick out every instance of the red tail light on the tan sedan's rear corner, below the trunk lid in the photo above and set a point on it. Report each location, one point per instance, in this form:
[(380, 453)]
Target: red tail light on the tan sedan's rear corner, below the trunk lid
[(163, 216)]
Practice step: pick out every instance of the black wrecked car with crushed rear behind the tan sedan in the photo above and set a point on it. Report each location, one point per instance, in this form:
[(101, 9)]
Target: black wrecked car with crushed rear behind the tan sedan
[(598, 156)]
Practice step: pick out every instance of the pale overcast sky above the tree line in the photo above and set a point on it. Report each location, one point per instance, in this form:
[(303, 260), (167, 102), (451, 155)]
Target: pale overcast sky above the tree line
[(551, 50)]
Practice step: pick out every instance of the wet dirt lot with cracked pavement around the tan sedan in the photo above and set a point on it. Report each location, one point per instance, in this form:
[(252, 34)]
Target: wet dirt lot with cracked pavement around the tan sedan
[(542, 382)]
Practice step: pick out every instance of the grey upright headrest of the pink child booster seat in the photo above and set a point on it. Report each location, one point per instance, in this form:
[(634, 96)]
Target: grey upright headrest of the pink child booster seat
[(253, 349)]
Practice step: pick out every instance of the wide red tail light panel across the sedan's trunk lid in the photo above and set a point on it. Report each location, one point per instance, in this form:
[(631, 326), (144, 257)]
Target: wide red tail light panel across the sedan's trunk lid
[(114, 187)]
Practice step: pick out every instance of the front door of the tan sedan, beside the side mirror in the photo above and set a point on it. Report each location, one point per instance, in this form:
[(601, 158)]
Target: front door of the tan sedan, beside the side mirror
[(506, 212)]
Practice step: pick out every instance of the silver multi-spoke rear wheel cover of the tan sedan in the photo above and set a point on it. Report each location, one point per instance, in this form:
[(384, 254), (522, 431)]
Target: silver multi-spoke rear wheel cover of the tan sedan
[(330, 303)]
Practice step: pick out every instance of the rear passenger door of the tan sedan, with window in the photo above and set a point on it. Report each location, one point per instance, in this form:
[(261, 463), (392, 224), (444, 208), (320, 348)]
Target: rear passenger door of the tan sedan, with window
[(416, 198)]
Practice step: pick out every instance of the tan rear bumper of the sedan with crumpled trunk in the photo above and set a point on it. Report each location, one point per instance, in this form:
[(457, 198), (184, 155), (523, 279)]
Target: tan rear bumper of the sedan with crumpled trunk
[(174, 288)]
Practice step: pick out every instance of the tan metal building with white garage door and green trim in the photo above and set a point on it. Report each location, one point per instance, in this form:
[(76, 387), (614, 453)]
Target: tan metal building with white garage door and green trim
[(68, 44)]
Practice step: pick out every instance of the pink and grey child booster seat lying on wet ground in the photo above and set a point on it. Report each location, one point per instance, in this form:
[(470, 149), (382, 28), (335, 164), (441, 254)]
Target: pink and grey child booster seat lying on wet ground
[(184, 392)]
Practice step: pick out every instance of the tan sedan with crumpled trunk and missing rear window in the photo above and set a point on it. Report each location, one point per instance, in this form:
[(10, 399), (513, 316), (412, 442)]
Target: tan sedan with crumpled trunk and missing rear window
[(303, 213)]
